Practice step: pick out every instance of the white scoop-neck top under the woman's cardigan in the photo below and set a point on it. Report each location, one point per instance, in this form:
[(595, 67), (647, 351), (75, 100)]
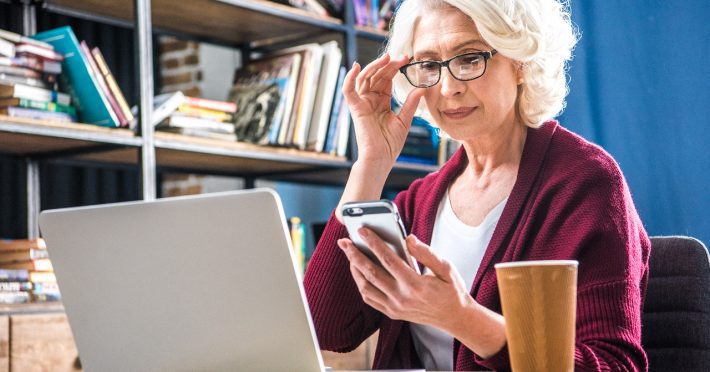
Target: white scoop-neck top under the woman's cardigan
[(463, 246)]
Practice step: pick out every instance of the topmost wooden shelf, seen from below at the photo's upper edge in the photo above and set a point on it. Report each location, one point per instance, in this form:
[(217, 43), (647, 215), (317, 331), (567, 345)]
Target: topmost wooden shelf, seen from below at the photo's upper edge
[(231, 21)]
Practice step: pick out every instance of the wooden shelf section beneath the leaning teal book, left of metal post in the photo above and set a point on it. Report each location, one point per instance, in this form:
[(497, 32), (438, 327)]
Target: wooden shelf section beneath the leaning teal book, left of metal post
[(39, 138)]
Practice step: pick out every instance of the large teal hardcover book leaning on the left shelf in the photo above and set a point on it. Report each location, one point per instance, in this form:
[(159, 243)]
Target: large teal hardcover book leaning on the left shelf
[(91, 103)]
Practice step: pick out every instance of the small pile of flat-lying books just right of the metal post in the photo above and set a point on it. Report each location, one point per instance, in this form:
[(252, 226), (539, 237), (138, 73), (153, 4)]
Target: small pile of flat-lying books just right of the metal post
[(192, 116)]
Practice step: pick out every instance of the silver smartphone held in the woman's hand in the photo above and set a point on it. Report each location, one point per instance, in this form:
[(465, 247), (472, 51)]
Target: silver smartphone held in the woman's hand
[(382, 217)]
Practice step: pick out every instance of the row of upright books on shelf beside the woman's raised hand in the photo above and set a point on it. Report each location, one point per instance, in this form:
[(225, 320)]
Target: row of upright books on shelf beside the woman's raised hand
[(291, 98)]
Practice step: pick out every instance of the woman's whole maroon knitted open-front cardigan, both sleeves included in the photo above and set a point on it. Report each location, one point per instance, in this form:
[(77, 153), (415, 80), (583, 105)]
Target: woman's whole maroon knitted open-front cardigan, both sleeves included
[(570, 201)]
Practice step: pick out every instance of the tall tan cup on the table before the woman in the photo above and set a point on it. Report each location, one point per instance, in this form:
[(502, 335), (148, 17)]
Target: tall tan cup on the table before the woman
[(539, 300)]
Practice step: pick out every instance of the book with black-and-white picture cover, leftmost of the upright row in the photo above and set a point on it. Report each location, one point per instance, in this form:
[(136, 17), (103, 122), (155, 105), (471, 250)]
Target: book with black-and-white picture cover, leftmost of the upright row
[(264, 93)]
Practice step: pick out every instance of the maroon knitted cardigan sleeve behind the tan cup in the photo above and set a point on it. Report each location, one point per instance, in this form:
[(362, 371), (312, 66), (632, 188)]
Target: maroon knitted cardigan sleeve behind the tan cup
[(591, 218)]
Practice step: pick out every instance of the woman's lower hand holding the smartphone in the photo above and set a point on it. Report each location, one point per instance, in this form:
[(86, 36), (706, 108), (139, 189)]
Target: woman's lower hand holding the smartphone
[(396, 290)]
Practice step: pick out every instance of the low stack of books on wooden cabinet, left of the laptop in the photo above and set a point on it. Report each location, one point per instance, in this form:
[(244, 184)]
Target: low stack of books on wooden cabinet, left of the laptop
[(26, 272)]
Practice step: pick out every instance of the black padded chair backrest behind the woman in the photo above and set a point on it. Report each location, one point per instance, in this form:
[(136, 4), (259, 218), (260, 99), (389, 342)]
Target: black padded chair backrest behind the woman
[(676, 313)]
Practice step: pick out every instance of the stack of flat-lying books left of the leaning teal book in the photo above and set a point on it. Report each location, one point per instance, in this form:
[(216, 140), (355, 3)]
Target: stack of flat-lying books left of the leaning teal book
[(29, 72)]
